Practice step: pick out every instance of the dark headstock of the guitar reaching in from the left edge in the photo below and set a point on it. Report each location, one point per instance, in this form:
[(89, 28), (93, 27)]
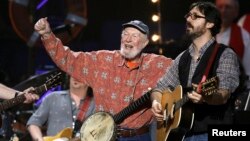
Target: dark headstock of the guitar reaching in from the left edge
[(54, 80)]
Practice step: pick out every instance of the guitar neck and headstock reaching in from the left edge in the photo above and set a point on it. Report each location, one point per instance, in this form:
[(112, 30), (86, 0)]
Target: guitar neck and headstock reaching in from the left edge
[(53, 80)]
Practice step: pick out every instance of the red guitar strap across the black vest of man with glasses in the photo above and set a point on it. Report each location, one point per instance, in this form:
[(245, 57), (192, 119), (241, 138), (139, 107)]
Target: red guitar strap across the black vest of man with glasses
[(210, 62)]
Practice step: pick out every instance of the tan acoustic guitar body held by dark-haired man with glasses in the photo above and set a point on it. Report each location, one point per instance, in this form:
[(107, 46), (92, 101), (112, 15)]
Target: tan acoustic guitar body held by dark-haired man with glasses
[(174, 128)]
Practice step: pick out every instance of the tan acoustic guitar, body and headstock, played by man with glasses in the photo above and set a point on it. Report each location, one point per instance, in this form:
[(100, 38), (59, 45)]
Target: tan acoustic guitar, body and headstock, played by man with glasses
[(183, 112)]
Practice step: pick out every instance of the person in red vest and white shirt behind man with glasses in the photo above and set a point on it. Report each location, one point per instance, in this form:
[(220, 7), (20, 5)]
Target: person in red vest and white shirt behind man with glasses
[(233, 35)]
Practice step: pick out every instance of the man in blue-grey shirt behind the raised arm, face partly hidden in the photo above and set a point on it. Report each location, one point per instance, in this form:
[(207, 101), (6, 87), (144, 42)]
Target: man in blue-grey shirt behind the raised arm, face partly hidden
[(60, 110)]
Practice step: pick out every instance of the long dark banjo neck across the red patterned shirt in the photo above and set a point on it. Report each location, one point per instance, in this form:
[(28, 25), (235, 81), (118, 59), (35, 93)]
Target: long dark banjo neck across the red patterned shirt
[(119, 117)]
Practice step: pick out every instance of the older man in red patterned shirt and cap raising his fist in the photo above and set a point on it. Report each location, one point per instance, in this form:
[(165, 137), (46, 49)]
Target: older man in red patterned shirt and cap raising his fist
[(117, 77)]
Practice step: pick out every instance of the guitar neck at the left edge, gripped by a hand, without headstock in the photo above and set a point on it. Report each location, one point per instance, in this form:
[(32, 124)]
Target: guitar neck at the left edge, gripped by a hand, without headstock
[(21, 98)]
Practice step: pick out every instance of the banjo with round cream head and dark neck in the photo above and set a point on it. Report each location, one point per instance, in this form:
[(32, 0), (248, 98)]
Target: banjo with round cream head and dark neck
[(101, 126)]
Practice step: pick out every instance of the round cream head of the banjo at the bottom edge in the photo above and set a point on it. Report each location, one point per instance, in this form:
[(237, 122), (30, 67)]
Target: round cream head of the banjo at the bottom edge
[(98, 127)]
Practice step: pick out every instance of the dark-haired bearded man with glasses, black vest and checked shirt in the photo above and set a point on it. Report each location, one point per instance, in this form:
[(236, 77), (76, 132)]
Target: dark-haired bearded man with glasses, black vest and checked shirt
[(190, 70)]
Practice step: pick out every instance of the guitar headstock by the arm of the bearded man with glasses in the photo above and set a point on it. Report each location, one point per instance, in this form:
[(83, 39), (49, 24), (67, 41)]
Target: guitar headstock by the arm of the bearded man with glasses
[(210, 86)]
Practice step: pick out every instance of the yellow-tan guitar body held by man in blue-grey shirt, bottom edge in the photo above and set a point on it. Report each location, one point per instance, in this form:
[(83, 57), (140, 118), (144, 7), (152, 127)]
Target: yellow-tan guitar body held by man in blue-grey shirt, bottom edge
[(65, 134)]
